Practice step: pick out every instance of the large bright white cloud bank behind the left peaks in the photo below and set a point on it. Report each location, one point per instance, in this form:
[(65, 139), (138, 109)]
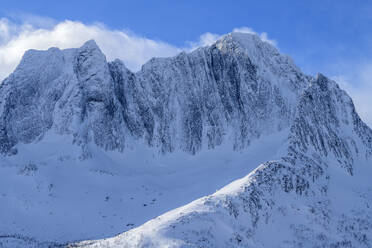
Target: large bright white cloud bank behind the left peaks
[(131, 48)]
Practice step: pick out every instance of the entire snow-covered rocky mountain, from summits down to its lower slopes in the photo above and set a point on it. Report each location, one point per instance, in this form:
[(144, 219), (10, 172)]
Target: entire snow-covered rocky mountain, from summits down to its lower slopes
[(240, 94)]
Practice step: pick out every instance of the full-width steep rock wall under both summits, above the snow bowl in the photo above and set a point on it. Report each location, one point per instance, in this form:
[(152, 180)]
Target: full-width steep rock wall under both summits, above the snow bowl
[(233, 91)]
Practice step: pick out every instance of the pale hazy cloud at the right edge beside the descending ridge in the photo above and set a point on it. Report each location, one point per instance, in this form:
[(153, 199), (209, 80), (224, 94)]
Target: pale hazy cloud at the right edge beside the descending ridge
[(358, 84)]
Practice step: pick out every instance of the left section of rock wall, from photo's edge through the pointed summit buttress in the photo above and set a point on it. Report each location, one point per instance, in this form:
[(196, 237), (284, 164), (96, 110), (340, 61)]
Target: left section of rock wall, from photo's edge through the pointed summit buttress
[(69, 92)]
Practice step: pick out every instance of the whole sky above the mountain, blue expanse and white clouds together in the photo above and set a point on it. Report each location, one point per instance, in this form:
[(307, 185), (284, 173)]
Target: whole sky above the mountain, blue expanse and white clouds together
[(320, 36)]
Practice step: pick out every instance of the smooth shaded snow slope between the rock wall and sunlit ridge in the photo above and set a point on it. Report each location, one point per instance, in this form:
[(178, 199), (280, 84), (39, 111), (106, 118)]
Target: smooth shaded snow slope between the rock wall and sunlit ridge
[(48, 195)]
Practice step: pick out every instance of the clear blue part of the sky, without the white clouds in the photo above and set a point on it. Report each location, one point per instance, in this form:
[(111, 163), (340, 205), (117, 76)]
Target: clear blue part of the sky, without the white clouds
[(333, 37)]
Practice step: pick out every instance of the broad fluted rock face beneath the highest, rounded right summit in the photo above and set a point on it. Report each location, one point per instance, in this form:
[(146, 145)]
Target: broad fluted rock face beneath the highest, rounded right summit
[(227, 90)]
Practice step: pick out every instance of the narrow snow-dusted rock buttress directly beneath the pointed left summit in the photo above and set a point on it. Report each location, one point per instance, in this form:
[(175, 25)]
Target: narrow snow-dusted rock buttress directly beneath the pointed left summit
[(96, 112)]
